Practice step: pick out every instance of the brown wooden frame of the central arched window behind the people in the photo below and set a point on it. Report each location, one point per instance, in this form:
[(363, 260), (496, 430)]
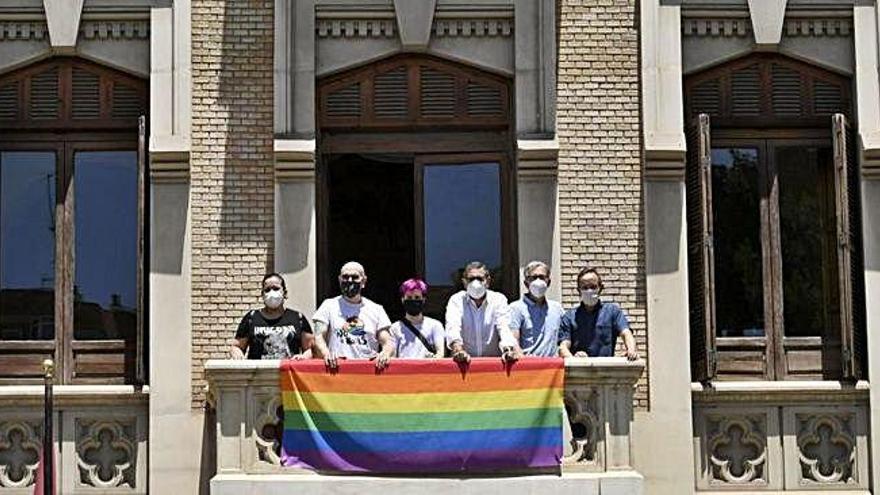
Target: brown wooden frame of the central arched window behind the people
[(458, 140)]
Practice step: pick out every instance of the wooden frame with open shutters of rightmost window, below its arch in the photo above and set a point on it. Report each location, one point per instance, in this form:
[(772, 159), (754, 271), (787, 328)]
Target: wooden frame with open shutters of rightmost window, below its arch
[(841, 348)]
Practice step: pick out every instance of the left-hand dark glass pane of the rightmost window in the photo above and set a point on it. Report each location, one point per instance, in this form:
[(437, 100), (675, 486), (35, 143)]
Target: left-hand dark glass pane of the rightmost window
[(739, 288)]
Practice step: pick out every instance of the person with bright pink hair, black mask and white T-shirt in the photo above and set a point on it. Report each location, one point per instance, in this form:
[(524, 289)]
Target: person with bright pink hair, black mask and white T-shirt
[(418, 336)]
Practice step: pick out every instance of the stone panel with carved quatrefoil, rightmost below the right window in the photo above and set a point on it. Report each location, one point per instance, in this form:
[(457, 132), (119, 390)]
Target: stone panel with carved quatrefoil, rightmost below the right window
[(827, 448)]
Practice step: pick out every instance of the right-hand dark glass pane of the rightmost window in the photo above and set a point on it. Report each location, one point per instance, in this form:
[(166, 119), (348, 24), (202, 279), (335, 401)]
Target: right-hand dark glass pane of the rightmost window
[(807, 229)]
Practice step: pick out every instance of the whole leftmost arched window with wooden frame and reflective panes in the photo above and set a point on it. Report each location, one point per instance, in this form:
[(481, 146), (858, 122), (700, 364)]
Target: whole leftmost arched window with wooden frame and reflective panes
[(71, 221)]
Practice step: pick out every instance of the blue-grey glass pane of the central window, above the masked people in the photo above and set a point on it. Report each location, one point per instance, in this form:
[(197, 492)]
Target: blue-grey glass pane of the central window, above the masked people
[(462, 219)]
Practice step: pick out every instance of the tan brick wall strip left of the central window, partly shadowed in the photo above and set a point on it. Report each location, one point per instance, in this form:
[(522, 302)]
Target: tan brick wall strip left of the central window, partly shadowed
[(231, 168)]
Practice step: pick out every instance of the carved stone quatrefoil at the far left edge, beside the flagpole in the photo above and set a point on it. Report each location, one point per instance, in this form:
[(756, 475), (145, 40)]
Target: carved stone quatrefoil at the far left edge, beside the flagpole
[(19, 454)]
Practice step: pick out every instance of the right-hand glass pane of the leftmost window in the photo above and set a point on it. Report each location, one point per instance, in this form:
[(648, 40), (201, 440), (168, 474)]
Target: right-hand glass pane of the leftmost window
[(105, 292)]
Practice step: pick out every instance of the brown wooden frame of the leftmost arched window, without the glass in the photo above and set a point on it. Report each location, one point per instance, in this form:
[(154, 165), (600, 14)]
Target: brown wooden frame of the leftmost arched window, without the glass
[(65, 136)]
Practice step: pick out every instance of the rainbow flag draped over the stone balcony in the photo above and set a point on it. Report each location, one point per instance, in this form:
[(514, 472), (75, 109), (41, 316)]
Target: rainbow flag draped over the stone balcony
[(423, 415)]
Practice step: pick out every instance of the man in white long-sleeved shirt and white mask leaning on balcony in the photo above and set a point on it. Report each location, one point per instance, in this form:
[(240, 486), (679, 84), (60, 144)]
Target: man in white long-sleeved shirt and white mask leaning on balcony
[(477, 319)]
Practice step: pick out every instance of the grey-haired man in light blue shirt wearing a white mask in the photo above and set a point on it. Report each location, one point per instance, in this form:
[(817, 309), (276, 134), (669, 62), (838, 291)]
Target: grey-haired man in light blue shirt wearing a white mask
[(534, 319)]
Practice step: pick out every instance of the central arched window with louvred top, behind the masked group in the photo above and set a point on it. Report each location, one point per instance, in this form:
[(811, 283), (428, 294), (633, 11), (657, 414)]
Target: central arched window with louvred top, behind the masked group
[(414, 177)]
